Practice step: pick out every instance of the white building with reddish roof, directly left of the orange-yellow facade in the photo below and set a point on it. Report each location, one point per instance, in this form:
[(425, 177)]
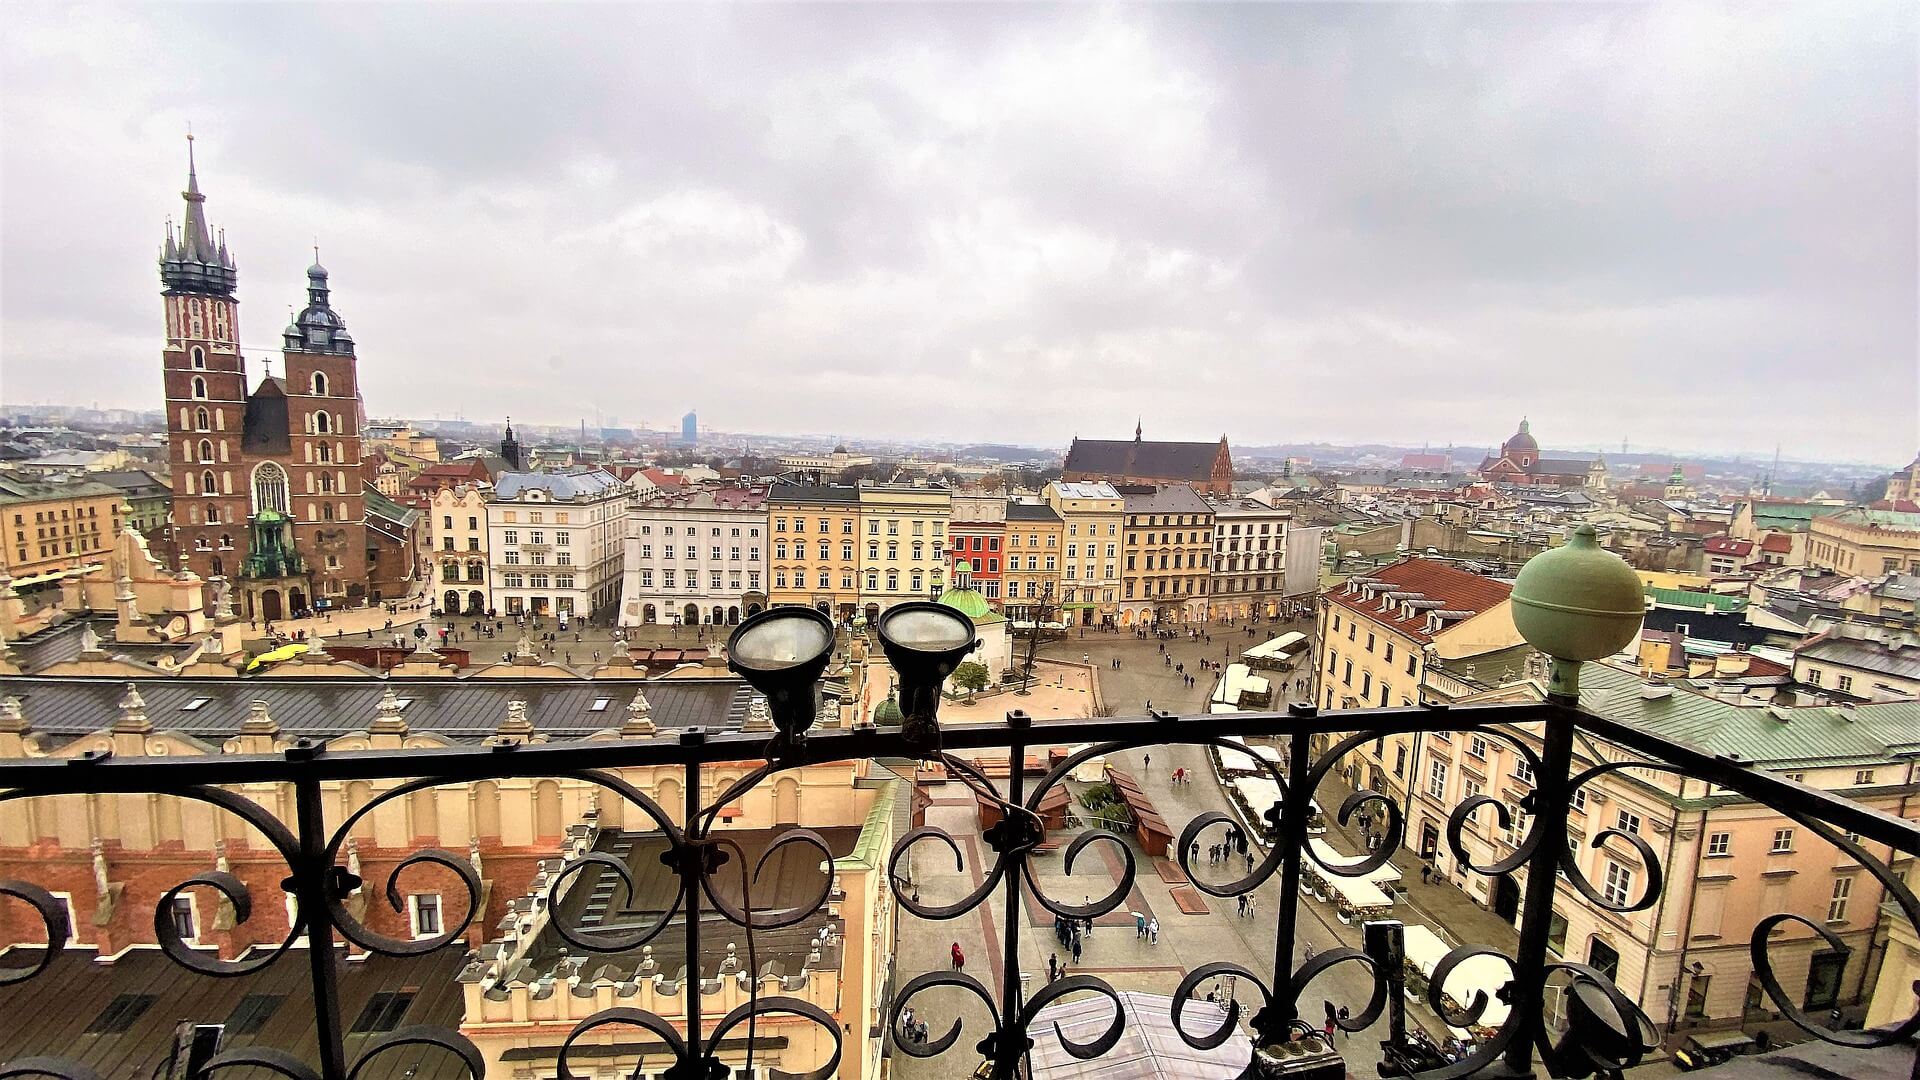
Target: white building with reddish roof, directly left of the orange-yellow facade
[(696, 558)]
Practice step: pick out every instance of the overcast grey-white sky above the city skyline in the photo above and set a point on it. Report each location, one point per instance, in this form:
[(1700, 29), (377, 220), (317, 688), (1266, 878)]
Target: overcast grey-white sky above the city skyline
[(1677, 226)]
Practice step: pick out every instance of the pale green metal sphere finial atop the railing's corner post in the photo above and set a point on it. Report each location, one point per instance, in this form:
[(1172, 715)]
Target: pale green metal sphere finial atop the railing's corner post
[(1577, 602)]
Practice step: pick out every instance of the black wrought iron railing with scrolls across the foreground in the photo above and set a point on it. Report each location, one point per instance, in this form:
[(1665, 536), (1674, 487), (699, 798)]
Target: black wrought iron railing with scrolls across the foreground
[(1602, 1029)]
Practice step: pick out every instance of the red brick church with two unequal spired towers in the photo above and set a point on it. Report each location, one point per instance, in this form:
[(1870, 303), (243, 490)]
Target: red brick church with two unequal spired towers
[(268, 483)]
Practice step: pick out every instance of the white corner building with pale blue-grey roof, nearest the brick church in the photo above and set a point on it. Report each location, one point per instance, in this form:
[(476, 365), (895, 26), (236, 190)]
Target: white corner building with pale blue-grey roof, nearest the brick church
[(558, 543)]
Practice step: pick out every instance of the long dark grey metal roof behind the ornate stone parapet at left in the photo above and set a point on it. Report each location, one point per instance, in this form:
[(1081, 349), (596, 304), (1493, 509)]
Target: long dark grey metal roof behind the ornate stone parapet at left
[(325, 708)]
